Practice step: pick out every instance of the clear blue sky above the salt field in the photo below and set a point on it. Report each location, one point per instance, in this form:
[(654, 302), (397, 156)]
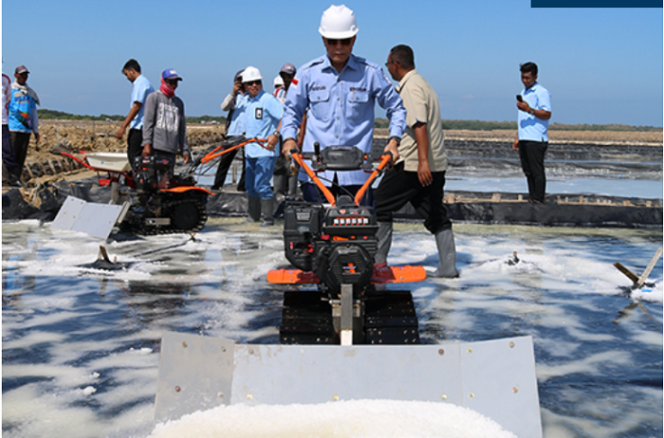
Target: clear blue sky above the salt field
[(600, 65)]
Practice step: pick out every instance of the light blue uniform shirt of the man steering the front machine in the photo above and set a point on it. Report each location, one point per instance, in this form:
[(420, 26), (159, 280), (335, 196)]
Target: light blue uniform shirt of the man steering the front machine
[(341, 108)]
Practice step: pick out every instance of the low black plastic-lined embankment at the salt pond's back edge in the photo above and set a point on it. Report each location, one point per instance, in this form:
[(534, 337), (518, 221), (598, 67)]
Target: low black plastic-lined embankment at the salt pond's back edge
[(480, 211)]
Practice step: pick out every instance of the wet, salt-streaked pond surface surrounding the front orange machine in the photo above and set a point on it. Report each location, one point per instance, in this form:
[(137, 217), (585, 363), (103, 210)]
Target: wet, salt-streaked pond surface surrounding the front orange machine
[(81, 347)]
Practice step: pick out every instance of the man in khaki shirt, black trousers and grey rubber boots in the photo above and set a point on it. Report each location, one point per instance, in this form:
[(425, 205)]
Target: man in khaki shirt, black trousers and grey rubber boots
[(418, 176)]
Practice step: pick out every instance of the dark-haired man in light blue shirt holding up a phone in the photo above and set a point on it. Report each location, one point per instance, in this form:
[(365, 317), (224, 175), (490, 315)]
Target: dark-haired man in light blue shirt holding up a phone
[(532, 140)]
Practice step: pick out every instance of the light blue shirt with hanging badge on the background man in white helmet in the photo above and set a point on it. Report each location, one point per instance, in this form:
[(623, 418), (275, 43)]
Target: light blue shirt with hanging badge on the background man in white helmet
[(260, 115)]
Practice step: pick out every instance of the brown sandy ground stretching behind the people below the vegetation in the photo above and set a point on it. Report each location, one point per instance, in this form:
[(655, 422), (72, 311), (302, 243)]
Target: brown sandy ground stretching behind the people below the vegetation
[(100, 137)]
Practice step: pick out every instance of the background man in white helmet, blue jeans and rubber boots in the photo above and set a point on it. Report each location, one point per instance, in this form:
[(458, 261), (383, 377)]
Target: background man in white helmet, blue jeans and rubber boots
[(262, 114)]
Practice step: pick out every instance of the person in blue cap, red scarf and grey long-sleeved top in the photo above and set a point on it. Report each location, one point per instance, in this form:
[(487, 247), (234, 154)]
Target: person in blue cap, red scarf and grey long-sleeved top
[(164, 127)]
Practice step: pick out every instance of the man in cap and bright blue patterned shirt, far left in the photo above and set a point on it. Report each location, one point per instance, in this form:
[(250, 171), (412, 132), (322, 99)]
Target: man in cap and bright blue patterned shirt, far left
[(23, 120)]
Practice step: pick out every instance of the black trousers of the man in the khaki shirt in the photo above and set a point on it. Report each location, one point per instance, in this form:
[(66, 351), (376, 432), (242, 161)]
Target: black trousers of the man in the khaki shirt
[(398, 187)]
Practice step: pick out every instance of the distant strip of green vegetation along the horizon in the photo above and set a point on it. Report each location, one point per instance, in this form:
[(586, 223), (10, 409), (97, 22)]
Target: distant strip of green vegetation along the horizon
[(471, 125)]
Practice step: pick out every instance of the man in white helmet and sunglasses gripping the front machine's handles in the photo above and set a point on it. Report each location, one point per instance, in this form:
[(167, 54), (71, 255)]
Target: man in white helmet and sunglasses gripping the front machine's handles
[(340, 90)]
